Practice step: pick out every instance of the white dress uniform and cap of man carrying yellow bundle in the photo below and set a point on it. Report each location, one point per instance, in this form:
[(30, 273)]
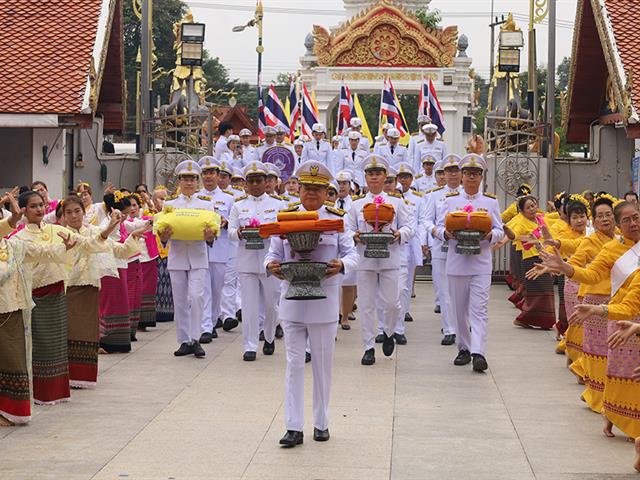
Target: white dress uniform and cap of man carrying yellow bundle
[(188, 266)]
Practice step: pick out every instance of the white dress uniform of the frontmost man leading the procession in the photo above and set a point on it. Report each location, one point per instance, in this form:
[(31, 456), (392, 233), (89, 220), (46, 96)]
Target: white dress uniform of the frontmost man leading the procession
[(312, 320)]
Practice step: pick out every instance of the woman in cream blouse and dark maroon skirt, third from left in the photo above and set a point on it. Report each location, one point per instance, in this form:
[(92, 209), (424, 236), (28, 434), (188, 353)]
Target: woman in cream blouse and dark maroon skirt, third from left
[(83, 296)]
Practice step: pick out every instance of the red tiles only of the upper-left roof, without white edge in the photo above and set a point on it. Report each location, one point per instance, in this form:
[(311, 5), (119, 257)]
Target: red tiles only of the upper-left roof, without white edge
[(45, 52)]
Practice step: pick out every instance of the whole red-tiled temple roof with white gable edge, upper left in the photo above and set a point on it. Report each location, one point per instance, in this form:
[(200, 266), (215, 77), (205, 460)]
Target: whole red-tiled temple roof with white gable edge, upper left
[(53, 54)]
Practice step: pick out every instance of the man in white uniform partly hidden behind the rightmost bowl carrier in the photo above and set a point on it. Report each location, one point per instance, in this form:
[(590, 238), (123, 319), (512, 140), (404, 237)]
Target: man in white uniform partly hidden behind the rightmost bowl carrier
[(435, 201)]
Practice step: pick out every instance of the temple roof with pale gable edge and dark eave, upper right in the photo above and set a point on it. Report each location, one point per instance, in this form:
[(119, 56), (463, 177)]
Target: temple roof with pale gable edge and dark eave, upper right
[(604, 83)]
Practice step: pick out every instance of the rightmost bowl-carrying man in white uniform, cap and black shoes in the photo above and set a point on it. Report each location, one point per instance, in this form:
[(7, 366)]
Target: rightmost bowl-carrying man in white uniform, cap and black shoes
[(470, 275)]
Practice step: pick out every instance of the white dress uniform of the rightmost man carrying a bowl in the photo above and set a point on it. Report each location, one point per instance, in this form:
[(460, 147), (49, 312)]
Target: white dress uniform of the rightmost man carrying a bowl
[(470, 275)]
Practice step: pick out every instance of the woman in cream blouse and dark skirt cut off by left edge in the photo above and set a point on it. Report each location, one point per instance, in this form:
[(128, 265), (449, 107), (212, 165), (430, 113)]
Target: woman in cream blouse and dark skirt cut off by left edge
[(16, 259)]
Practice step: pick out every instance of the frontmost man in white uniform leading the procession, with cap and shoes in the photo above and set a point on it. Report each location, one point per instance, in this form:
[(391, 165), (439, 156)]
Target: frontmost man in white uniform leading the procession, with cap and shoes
[(311, 321)]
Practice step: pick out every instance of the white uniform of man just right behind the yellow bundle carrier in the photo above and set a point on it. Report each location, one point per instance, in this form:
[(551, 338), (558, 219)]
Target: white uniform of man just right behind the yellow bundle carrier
[(219, 255)]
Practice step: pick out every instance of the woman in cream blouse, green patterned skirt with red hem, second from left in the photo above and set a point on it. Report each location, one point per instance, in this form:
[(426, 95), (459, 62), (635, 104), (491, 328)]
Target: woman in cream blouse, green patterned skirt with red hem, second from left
[(49, 316)]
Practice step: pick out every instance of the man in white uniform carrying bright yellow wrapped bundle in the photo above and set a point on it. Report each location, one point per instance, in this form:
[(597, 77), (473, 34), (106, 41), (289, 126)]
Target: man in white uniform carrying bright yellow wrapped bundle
[(188, 264)]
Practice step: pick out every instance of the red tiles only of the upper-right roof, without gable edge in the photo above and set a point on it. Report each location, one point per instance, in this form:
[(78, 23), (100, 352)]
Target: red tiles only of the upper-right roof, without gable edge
[(625, 18)]
